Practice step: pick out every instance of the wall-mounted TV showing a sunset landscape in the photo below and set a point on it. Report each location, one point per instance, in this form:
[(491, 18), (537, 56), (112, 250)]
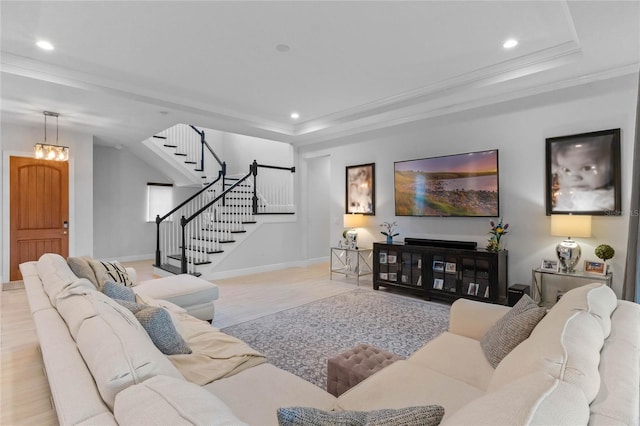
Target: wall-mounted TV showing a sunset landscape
[(452, 185)]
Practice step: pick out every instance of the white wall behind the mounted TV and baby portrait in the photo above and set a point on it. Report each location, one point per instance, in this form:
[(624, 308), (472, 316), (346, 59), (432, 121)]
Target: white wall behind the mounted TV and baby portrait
[(518, 129)]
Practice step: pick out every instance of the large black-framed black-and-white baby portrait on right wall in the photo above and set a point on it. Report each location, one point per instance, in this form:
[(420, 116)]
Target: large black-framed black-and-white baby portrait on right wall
[(583, 174)]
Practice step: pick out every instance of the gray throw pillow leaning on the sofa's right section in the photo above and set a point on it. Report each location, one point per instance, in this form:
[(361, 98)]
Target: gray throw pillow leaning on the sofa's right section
[(512, 329)]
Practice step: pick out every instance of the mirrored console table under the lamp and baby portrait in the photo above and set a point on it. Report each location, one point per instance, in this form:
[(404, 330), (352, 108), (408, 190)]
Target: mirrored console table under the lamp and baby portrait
[(547, 294)]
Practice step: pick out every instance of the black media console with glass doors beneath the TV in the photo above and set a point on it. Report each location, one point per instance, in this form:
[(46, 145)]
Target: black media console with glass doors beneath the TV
[(445, 270)]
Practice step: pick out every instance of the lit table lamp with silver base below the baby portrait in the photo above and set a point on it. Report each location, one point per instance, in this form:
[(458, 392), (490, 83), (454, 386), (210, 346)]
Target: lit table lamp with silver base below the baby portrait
[(569, 251)]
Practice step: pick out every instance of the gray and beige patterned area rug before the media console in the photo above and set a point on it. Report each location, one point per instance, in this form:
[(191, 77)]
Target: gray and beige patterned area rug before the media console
[(301, 339)]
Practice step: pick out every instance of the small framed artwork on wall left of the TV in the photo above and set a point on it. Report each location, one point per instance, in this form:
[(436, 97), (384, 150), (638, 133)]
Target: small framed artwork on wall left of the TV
[(360, 189)]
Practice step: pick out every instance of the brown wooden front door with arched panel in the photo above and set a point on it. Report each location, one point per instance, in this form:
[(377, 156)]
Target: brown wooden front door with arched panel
[(39, 205)]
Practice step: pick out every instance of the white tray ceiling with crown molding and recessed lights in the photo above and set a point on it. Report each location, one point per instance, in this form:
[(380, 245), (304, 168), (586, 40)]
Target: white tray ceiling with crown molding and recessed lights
[(125, 70)]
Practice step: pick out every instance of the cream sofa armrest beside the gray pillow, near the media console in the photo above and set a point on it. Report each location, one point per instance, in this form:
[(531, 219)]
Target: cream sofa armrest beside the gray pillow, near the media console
[(473, 319)]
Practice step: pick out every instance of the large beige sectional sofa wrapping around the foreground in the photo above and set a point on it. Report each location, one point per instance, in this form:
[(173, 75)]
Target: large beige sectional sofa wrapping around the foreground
[(581, 364)]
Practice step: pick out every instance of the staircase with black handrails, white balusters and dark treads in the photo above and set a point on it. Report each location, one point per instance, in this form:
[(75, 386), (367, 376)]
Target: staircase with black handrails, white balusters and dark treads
[(192, 236)]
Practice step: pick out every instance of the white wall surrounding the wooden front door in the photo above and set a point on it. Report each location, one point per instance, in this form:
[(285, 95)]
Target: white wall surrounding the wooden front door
[(19, 141)]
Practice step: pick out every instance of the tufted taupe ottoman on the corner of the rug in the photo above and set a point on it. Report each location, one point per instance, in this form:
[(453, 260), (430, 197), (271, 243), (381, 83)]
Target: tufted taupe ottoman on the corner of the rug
[(353, 366)]
